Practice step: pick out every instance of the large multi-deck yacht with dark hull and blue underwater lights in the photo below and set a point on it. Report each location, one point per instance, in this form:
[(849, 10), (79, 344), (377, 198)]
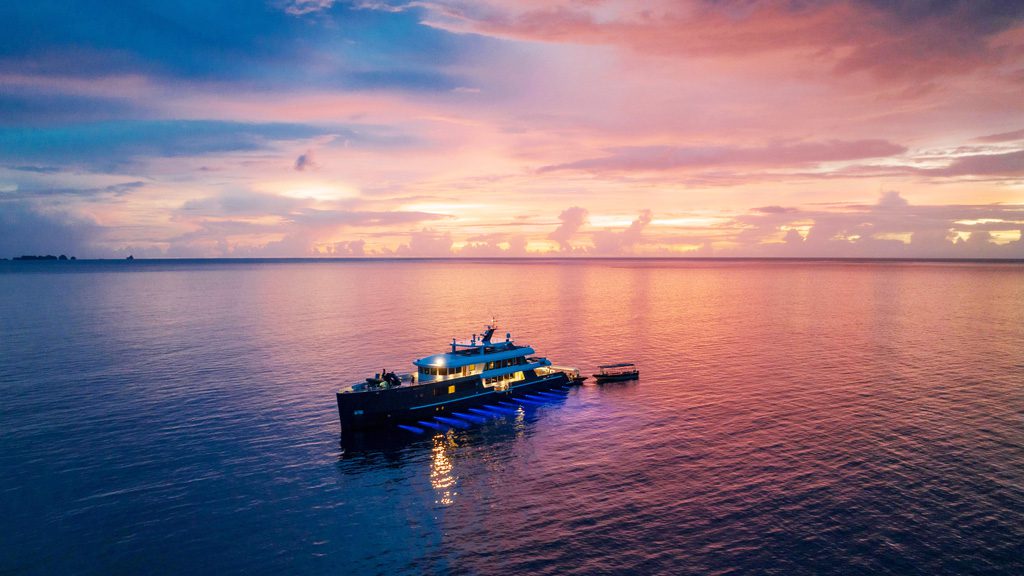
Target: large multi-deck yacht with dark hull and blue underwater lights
[(477, 373)]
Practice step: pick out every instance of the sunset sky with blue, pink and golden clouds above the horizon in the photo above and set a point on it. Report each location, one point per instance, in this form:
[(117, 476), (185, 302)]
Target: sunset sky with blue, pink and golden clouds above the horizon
[(587, 128)]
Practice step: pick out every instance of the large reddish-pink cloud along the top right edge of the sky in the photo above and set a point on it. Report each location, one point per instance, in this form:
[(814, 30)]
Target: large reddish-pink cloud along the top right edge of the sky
[(891, 42)]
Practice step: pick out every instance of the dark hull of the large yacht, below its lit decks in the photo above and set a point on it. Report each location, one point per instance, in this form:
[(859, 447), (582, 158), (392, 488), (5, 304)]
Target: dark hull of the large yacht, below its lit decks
[(411, 404)]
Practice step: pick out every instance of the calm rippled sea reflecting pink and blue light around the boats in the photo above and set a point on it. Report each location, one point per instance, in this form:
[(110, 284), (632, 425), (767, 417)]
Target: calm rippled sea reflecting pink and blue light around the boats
[(791, 419)]
